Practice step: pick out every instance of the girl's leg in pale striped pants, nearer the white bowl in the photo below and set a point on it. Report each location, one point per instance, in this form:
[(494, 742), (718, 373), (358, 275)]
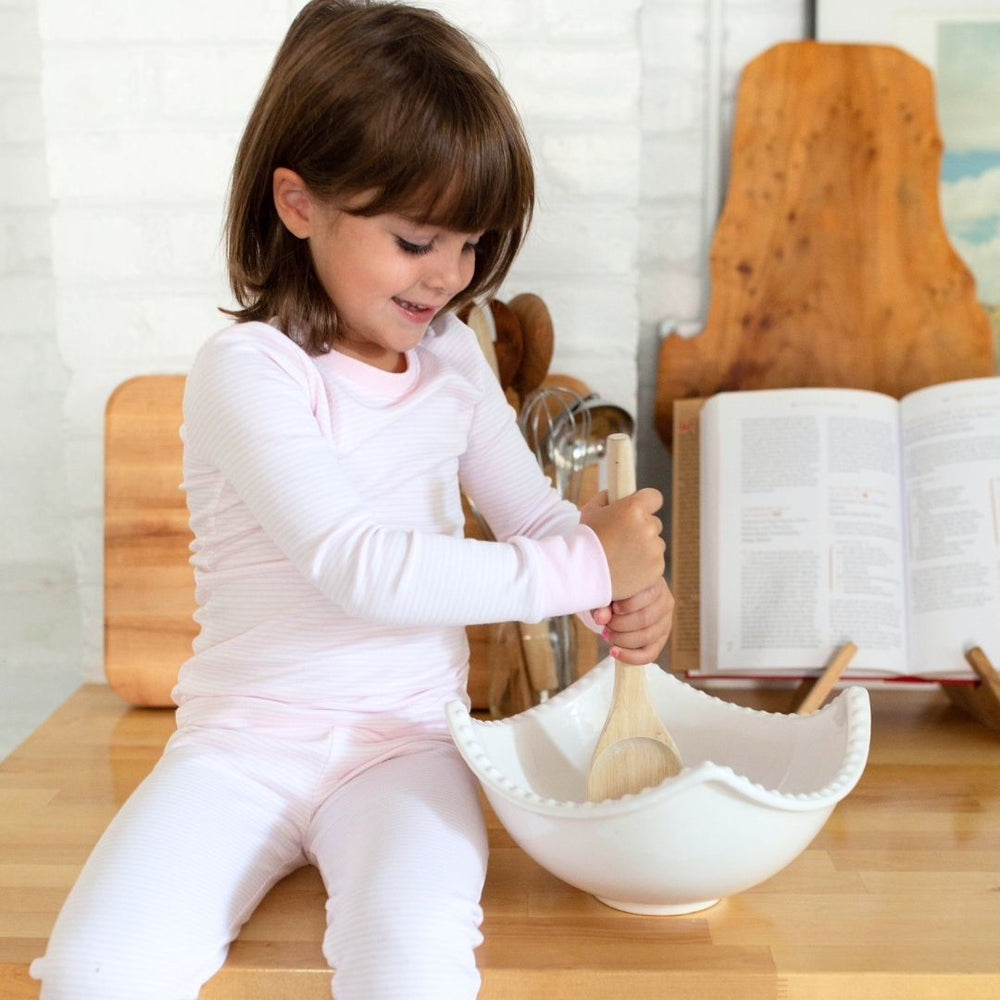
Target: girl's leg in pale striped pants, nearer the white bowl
[(402, 849)]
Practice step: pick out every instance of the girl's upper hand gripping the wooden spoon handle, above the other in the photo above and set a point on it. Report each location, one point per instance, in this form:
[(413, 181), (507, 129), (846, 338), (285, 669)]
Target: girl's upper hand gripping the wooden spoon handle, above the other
[(630, 533)]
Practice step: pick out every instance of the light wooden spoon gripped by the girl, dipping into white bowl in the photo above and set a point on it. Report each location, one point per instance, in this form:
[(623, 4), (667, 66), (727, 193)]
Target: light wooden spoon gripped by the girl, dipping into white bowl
[(634, 750)]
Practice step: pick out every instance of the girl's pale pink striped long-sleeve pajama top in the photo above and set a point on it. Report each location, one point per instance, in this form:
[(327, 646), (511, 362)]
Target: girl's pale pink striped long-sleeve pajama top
[(330, 564)]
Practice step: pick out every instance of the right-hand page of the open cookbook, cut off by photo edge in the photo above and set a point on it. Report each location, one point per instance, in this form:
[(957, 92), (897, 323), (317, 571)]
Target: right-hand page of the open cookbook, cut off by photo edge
[(951, 461)]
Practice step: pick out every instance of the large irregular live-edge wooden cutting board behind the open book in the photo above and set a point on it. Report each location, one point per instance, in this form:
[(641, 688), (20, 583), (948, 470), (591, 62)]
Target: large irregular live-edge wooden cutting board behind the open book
[(830, 264)]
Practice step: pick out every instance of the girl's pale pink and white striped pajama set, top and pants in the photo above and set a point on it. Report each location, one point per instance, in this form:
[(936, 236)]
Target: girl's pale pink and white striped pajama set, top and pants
[(333, 587)]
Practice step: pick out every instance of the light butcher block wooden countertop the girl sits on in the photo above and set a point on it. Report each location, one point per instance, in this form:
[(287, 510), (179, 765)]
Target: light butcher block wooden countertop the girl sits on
[(898, 897)]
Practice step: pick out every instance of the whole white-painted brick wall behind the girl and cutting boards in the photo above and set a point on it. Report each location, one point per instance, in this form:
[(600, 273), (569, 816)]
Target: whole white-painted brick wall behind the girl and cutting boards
[(111, 205)]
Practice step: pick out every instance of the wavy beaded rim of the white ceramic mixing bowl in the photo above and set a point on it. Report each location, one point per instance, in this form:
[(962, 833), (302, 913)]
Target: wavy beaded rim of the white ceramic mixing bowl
[(858, 724)]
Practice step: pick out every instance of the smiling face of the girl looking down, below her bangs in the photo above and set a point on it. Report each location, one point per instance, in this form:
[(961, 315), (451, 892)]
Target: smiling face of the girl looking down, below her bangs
[(387, 277)]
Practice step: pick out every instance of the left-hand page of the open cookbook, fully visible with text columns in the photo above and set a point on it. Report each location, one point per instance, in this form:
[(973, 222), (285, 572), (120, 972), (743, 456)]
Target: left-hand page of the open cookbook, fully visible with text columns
[(802, 532)]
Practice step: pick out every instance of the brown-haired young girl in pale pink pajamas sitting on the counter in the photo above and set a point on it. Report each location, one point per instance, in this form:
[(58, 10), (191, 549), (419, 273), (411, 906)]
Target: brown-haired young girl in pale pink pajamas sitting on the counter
[(383, 179)]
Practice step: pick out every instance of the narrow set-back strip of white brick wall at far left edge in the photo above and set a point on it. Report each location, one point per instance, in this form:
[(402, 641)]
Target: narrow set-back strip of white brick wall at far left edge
[(40, 624)]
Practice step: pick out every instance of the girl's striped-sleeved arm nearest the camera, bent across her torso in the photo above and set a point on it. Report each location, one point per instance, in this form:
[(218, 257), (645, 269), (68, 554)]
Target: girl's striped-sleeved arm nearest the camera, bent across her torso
[(249, 413)]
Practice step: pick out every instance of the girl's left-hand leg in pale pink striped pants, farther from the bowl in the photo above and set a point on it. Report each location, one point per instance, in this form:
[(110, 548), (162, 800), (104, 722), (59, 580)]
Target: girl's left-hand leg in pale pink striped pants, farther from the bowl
[(177, 872)]
